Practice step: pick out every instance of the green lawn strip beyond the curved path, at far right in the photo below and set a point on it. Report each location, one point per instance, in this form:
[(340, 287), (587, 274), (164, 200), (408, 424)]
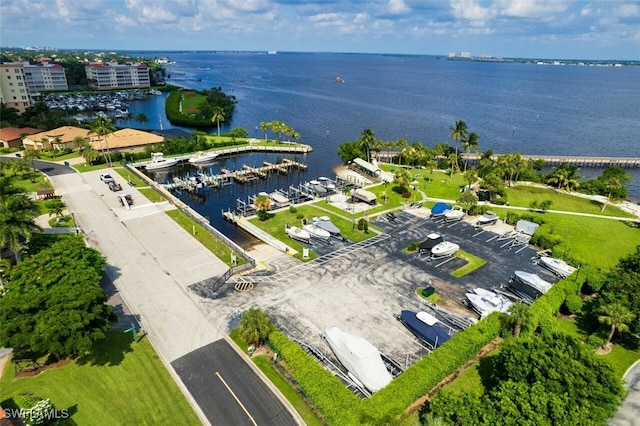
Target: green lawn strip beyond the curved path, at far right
[(523, 196)]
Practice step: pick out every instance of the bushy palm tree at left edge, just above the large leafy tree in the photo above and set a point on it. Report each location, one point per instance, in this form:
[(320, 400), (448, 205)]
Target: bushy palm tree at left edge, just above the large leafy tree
[(17, 212)]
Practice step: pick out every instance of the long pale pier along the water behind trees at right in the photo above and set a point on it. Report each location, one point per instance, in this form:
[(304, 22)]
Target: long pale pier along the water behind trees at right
[(551, 160)]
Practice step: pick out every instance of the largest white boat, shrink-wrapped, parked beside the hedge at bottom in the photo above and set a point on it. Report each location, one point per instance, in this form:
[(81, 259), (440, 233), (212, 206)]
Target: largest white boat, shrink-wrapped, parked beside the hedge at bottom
[(361, 359)]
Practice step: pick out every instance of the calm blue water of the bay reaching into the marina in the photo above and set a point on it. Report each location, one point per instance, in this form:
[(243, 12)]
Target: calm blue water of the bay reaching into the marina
[(531, 109)]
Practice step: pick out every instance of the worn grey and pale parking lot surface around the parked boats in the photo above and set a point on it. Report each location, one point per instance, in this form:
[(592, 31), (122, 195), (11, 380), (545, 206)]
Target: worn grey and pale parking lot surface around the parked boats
[(364, 287)]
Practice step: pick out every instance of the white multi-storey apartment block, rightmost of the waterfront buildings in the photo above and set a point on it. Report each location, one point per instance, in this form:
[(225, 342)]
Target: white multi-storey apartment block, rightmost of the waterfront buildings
[(112, 75)]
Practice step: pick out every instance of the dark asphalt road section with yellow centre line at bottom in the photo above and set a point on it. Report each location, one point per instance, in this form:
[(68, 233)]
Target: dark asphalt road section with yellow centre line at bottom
[(227, 390)]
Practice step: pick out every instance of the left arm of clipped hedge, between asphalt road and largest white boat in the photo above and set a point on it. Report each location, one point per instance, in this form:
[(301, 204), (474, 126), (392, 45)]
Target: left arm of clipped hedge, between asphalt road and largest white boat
[(338, 405)]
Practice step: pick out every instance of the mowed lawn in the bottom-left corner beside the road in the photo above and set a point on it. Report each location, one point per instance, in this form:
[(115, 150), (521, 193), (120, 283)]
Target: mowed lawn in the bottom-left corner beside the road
[(118, 383)]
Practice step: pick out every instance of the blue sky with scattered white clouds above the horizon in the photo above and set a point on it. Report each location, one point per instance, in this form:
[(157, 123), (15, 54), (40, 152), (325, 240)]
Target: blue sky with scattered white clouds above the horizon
[(566, 29)]
